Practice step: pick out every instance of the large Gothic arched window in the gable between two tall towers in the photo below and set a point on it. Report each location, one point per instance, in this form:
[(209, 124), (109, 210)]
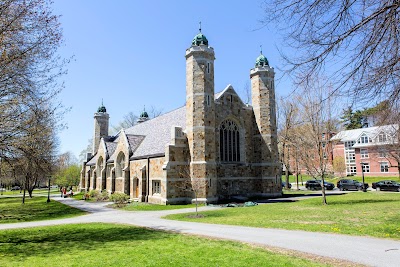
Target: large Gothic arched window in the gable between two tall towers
[(229, 145)]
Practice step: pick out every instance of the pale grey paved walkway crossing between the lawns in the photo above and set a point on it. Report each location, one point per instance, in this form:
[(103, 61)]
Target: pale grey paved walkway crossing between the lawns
[(362, 250)]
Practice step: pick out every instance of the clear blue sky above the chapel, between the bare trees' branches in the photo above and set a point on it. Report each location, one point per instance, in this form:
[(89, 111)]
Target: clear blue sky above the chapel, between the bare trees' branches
[(131, 54)]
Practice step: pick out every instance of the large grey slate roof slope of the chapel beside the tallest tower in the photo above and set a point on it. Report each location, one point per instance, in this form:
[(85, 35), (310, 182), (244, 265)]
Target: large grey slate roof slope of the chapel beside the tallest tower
[(156, 133)]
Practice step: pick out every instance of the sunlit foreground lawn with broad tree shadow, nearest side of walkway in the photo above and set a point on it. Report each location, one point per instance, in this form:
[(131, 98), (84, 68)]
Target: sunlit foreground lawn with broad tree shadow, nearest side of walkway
[(121, 245)]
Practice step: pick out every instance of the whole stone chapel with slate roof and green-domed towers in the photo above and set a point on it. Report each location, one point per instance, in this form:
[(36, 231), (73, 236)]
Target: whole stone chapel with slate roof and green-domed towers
[(215, 144)]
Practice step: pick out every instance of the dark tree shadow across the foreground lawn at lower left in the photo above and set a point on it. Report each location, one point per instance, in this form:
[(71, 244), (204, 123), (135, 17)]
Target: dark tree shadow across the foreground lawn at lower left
[(70, 238)]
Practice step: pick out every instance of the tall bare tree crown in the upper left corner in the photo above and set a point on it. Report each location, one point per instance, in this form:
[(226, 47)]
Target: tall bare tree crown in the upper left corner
[(29, 69)]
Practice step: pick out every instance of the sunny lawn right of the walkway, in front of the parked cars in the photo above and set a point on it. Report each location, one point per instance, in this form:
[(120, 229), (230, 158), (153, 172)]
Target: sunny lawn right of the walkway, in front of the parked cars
[(374, 214)]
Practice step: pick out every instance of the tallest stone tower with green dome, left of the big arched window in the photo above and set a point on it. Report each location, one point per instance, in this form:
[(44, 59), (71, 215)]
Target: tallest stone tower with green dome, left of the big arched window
[(200, 116)]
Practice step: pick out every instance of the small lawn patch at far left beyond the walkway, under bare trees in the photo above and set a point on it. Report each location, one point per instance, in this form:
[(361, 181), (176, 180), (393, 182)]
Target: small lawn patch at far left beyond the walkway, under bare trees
[(12, 210)]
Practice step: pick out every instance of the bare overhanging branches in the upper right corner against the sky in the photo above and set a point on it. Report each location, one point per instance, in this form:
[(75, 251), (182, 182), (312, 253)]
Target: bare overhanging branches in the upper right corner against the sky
[(354, 43)]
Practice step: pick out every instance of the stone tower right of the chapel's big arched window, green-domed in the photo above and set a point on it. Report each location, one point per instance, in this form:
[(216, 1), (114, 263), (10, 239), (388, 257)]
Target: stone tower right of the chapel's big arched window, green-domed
[(263, 101)]
